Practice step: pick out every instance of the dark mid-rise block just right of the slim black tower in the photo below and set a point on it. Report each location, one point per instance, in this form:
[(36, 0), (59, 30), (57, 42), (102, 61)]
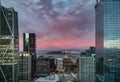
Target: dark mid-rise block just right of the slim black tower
[(43, 66)]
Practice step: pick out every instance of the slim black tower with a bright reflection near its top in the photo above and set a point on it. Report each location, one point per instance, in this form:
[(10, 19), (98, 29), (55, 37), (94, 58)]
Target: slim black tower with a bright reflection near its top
[(29, 43)]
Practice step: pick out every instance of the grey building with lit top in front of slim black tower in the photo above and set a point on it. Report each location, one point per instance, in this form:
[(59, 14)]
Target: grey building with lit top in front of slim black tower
[(24, 67)]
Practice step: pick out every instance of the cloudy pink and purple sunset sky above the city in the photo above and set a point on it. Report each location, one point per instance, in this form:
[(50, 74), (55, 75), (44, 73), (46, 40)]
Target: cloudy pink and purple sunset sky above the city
[(58, 24)]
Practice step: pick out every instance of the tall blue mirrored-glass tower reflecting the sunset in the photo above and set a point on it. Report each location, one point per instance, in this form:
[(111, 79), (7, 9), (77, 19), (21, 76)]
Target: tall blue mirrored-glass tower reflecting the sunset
[(108, 40)]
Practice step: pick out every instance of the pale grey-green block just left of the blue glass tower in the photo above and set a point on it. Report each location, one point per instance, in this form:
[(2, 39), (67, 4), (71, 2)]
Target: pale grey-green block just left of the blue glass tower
[(87, 69)]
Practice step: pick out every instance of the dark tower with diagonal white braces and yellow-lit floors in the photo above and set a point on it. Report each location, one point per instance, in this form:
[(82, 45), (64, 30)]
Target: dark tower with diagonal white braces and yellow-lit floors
[(9, 45)]
